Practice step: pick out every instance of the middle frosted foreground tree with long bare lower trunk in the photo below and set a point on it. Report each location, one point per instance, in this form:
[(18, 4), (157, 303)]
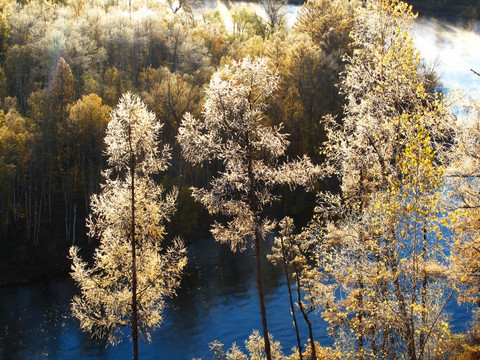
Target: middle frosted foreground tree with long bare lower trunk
[(234, 131)]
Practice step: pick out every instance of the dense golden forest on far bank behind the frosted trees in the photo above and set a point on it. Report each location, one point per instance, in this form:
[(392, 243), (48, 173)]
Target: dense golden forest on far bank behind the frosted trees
[(65, 65)]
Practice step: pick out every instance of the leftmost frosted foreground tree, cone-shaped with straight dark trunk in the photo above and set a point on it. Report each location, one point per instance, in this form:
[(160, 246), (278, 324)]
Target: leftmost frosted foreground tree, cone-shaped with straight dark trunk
[(132, 272)]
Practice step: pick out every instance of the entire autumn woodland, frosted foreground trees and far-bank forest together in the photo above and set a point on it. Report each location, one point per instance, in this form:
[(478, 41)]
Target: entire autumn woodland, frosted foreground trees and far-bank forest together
[(328, 135)]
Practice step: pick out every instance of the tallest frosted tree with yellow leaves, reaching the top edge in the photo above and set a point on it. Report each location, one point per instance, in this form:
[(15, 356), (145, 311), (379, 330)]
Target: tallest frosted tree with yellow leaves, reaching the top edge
[(382, 243)]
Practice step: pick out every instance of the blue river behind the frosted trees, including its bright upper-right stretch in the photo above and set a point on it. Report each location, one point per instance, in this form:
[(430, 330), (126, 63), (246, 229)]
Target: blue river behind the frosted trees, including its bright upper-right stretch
[(218, 299)]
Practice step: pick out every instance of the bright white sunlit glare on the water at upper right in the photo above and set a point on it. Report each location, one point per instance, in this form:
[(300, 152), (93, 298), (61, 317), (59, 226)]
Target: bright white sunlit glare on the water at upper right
[(452, 45)]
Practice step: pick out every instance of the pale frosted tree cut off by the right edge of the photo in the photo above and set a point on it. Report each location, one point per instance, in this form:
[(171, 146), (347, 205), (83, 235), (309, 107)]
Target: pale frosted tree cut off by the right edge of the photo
[(463, 177)]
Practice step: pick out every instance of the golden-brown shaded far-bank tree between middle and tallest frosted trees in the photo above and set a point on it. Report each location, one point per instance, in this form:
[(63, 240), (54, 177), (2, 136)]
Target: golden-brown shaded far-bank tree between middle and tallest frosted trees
[(308, 90)]
